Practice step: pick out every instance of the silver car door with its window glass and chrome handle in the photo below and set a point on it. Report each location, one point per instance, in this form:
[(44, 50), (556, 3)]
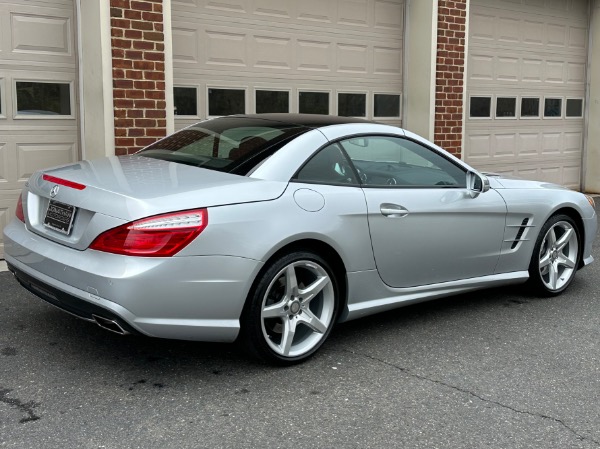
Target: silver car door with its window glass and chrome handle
[(426, 226)]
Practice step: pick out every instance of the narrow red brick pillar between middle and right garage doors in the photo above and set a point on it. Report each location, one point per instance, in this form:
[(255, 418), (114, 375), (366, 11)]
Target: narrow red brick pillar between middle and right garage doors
[(450, 64)]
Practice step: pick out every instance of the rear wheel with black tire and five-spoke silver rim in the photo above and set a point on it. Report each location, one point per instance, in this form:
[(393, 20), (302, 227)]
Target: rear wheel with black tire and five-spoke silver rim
[(284, 323)]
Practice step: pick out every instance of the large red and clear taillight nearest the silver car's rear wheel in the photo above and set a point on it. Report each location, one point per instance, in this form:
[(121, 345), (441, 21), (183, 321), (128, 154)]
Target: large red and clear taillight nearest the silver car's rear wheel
[(158, 236)]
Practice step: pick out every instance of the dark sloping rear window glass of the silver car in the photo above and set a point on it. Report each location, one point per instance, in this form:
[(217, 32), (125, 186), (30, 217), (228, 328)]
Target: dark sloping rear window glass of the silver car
[(229, 144)]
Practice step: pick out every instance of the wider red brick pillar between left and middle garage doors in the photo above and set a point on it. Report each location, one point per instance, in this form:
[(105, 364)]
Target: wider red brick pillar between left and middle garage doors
[(138, 58)]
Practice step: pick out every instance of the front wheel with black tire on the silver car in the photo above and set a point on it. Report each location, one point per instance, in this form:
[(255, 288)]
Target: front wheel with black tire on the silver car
[(555, 256)]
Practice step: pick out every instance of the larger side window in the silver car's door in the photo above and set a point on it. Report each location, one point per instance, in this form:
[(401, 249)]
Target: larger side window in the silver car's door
[(394, 161)]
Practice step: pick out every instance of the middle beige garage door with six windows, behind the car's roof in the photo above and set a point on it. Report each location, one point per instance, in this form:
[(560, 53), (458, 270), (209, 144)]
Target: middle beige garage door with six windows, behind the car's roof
[(340, 57)]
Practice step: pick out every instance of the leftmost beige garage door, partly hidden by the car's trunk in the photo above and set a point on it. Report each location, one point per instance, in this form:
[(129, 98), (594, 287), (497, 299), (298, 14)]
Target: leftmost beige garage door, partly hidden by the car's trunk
[(38, 107)]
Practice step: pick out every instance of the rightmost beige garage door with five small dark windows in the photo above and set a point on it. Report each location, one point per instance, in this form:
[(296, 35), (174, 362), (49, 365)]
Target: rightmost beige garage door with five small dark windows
[(526, 88)]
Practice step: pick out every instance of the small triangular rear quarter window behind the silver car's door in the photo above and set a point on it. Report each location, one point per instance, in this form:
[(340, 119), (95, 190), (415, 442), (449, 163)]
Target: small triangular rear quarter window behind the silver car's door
[(328, 166)]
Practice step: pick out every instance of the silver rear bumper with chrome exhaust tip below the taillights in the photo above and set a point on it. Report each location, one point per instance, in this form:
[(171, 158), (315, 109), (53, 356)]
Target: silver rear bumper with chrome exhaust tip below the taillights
[(187, 298)]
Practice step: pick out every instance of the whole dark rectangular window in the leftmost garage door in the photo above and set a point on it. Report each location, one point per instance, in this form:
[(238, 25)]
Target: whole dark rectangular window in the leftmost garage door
[(43, 99)]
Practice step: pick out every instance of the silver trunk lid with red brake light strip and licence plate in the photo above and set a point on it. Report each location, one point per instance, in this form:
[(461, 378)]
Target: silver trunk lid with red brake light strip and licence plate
[(108, 192)]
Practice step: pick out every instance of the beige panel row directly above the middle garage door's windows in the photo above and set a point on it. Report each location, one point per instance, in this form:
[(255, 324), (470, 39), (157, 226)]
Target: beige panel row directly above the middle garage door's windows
[(251, 52)]
